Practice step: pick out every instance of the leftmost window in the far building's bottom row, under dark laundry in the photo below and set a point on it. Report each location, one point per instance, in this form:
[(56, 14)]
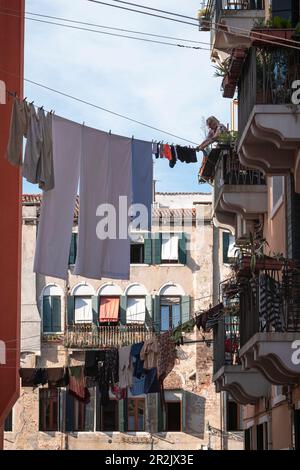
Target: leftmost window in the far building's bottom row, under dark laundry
[(49, 409)]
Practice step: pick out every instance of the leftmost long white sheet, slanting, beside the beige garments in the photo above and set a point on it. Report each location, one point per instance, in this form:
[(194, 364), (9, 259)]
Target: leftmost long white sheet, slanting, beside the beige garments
[(57, 211)]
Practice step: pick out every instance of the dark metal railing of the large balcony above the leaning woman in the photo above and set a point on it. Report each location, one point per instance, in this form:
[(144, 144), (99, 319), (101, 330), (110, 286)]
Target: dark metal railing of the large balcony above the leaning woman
[(267, 78)]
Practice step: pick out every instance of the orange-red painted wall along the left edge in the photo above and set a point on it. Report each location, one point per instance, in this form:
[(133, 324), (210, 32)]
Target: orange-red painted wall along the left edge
[(11, 72)]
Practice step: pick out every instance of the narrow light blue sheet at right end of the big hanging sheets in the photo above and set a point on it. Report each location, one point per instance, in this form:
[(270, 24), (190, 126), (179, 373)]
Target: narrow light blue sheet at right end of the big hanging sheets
[(142, 181)]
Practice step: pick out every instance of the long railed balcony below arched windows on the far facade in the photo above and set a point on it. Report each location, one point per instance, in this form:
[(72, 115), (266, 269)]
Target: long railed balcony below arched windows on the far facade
[(91, 336)]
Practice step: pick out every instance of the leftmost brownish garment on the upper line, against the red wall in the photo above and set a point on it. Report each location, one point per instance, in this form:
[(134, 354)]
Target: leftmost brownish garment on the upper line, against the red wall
[(18, 129)]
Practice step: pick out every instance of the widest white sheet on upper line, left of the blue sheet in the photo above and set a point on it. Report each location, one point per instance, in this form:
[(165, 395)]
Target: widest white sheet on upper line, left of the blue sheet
[(106, 173)]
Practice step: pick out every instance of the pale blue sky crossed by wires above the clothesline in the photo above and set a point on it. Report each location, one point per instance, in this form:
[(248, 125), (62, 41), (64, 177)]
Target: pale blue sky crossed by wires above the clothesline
[(167, 87)]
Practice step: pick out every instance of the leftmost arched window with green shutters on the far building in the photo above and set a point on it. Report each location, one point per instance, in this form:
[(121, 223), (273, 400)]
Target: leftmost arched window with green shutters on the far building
[(52, 313)]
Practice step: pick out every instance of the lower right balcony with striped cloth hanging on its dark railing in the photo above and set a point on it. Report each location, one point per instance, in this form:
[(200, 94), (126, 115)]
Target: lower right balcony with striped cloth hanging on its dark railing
[(270, 325)]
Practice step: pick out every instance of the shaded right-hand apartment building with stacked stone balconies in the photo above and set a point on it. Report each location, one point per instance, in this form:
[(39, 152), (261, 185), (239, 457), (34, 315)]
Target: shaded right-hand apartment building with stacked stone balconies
[(256, 197)]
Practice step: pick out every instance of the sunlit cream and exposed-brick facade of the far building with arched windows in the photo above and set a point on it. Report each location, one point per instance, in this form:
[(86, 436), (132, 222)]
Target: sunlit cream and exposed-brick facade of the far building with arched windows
[(60, 322)]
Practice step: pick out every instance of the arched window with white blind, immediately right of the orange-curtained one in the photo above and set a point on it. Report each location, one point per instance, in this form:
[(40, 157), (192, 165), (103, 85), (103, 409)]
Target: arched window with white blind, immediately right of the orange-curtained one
[(136, 304)]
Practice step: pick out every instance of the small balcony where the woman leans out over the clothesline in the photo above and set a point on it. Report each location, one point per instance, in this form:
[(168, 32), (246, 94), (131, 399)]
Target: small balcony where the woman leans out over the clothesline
[(238, 191)]
